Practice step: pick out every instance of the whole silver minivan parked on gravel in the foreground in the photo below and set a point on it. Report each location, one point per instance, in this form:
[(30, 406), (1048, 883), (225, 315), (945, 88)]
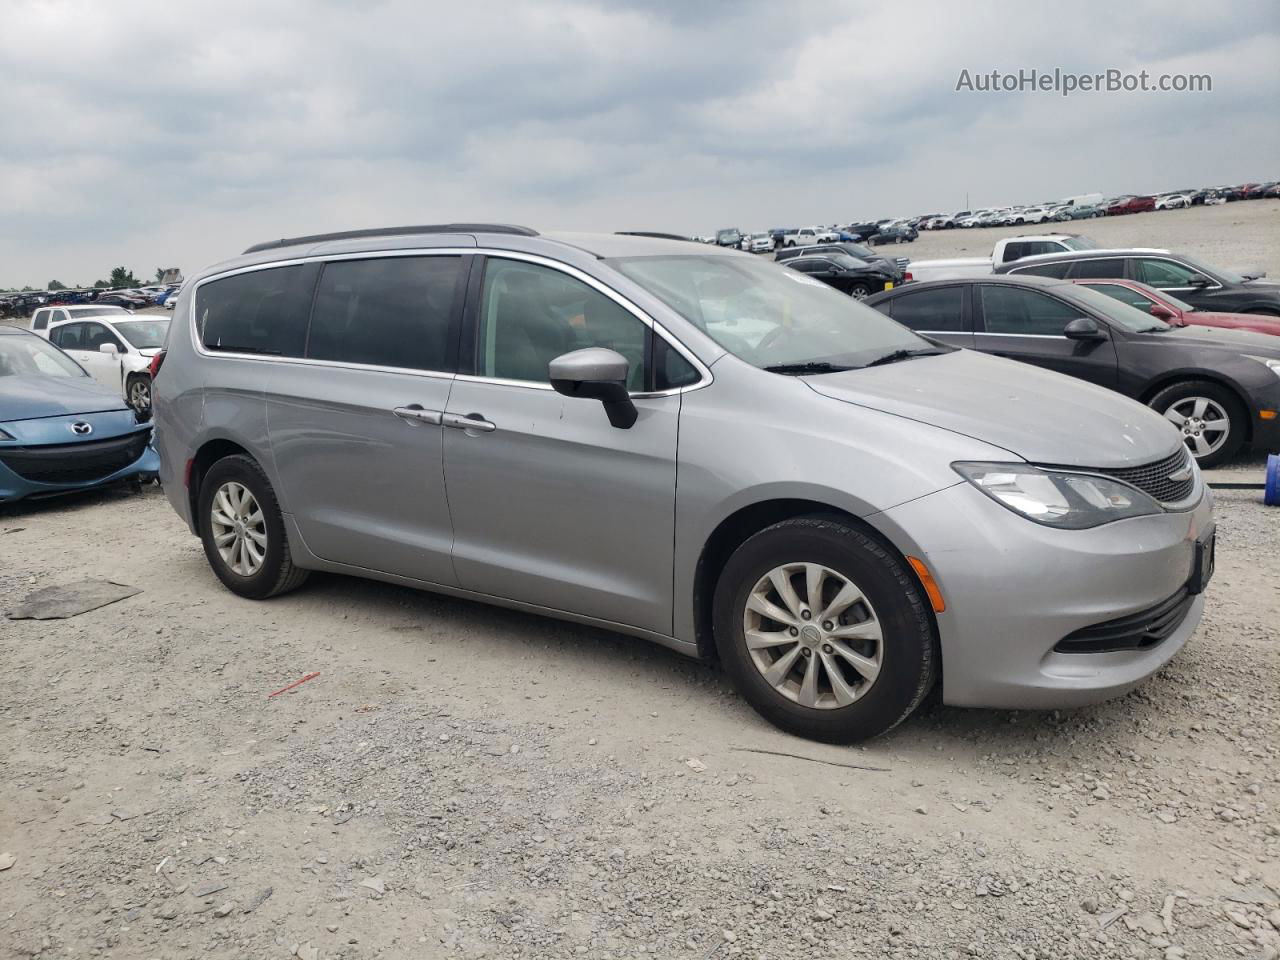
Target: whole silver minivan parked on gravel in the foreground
[(687, 445)]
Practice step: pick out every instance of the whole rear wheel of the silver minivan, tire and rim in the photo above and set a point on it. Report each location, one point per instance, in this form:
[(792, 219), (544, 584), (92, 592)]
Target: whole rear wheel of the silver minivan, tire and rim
[(243, 531)]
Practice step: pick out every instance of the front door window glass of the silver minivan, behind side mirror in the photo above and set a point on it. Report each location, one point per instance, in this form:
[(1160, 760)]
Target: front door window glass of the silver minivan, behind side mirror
[(532, 314)]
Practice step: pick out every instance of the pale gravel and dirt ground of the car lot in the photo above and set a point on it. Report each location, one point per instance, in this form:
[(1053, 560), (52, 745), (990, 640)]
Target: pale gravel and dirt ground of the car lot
[(460, 781)]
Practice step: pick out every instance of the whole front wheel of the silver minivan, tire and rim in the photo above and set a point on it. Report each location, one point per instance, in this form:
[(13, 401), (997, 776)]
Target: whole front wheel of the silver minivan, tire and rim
[(824, 630)]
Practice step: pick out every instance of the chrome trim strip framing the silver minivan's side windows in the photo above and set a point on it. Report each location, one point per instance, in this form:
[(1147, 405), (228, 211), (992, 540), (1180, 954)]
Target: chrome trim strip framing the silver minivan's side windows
[(470, 255)]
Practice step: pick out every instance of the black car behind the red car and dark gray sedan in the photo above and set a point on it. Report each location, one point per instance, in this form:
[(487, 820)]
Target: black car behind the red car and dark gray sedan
[(1201, 286)]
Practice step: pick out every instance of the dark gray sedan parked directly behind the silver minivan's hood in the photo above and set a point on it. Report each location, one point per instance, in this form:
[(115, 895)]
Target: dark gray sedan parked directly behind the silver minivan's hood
[(1222, 388)]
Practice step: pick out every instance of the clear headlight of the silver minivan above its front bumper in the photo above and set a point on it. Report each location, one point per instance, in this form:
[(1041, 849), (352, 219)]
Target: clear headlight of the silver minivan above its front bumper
[(1057, 499)]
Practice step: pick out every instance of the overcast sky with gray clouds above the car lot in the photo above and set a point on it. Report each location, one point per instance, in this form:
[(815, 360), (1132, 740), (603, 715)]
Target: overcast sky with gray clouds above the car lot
[(177, 134)]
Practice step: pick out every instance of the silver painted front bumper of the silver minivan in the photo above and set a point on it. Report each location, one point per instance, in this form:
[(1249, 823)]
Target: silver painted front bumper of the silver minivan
[(1016, 589)]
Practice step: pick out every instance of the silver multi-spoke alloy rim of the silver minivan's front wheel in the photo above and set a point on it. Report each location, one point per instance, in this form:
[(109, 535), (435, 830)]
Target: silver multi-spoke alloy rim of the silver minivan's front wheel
[(813, 636)]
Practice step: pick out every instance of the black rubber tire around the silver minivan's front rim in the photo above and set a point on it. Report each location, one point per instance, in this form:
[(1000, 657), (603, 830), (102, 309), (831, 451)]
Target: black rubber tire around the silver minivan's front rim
[(909, 650)]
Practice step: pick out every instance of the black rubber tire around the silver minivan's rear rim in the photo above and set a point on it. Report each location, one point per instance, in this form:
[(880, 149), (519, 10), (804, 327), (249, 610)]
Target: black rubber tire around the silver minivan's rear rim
[(278, 573)]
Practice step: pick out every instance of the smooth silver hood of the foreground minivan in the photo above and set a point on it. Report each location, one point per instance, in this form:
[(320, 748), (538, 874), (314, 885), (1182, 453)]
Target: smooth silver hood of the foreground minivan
[(1043, 417)]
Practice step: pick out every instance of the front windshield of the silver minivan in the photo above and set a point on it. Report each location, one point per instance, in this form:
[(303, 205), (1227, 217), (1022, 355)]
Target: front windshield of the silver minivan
[(772, 317)]
